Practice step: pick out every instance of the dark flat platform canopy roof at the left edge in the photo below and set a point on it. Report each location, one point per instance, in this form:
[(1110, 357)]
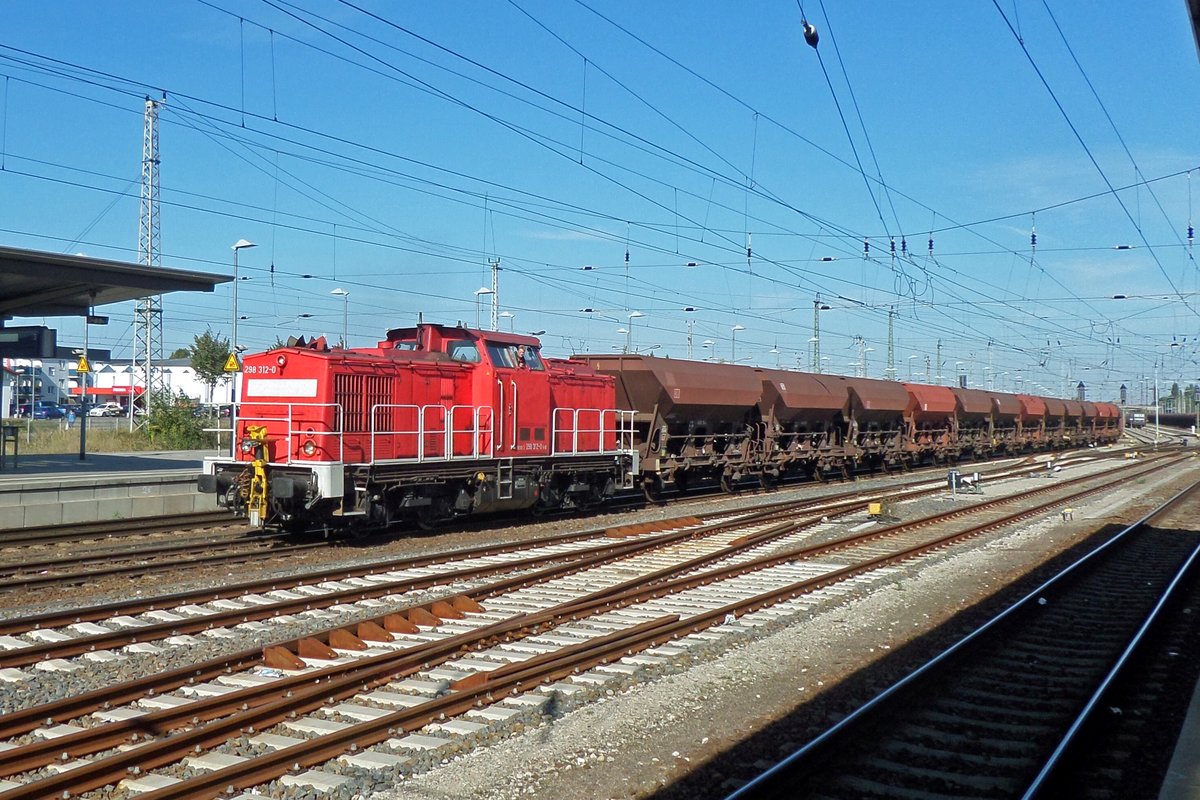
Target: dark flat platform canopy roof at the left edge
[(34, 284)]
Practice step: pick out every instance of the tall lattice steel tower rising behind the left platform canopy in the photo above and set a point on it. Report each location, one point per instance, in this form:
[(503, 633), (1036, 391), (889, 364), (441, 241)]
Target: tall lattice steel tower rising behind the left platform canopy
[(148, 317)]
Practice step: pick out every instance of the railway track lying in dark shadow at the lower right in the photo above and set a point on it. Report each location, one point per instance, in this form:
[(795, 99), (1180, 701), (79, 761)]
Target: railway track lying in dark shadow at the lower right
[(1051, 699)]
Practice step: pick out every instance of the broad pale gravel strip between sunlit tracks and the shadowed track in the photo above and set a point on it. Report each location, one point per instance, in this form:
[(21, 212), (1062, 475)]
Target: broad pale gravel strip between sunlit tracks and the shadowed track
[(665, 739)]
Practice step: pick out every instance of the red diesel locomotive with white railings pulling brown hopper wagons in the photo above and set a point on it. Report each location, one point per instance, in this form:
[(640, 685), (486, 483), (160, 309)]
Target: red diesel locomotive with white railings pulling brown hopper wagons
[(431, 424)]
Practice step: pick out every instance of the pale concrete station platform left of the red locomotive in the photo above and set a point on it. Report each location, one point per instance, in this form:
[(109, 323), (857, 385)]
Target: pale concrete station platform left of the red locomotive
[(50, 490)]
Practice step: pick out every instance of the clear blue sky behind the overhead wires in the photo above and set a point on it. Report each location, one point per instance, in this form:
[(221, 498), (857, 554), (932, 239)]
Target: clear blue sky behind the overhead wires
[(395, 149)]
